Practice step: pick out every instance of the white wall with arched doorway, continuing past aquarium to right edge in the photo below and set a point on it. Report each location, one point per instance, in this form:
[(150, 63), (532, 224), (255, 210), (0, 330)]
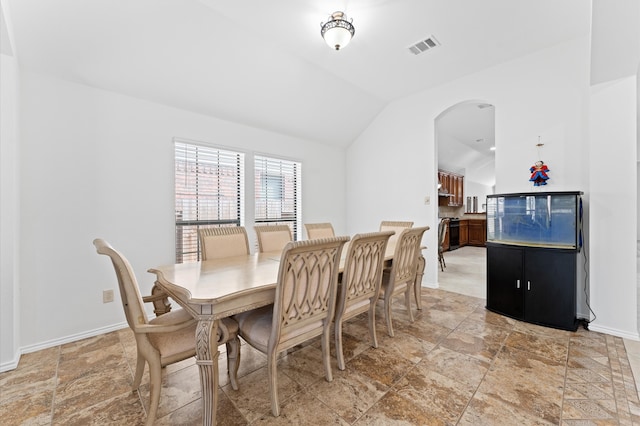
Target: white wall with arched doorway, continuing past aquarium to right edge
[(546, 95)]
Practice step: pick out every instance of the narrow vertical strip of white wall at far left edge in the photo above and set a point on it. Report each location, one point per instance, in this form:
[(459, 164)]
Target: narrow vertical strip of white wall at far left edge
[(9, 214)]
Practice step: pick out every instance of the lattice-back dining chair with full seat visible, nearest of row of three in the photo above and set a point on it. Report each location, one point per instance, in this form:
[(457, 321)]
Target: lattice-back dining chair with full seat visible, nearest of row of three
[(303, 307)]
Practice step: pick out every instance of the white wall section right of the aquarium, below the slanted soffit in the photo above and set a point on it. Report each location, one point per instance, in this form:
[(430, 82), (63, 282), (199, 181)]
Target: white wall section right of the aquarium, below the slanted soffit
[(613, 228)]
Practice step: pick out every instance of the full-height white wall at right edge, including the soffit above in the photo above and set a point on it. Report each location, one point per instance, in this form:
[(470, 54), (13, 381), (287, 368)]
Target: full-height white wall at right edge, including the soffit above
[(614, 119)]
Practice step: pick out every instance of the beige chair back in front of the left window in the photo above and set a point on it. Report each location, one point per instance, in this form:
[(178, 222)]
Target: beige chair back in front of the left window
[(227, 241)]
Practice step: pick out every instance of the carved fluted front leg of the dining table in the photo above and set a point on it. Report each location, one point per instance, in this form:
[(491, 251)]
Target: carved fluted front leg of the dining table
[(207, 360)]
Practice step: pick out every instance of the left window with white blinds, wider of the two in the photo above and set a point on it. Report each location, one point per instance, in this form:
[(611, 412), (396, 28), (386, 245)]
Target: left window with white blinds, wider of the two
[(209, 192)]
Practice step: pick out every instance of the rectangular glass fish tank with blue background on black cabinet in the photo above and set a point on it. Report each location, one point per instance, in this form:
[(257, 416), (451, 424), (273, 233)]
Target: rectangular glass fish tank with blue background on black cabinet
[(538, 219)]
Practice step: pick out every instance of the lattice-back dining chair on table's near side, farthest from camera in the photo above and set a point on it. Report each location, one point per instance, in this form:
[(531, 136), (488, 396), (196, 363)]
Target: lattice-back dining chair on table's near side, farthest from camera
[(401, 277)]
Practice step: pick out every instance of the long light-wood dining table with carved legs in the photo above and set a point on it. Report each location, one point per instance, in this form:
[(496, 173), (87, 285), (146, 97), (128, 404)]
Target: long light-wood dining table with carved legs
[(214, 289)]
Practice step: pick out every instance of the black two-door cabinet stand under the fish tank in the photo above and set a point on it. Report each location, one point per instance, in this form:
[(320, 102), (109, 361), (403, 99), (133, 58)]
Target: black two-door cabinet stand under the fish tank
[(536, 285)]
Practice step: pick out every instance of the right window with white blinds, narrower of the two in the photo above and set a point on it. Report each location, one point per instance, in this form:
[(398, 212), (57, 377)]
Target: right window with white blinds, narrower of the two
[(277, 184)]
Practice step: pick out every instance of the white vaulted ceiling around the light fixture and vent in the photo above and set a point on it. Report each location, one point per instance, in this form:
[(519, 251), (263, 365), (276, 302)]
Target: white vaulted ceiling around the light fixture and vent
[(264, 63)]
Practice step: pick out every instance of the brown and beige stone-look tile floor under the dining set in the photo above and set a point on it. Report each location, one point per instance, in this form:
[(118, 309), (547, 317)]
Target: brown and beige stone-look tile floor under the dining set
[(456, 364)]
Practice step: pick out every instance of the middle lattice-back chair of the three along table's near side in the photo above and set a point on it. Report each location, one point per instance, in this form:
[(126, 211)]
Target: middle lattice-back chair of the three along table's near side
[(360, 284)]
